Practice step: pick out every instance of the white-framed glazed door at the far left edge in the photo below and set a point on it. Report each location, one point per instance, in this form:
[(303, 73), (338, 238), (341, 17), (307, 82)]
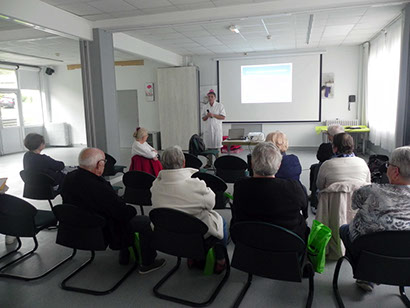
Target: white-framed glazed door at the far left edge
[(11, 138)]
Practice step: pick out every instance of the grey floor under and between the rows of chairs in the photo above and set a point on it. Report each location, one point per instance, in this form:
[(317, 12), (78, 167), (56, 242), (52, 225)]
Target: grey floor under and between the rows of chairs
[(137, 289)]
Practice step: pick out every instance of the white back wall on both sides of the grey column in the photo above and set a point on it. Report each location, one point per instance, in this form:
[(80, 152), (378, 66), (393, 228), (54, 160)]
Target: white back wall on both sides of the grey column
[(66, 96)]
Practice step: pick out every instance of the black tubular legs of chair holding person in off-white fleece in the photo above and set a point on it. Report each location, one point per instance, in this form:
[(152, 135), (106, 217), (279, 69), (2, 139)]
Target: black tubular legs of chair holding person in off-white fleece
[(186, 302)]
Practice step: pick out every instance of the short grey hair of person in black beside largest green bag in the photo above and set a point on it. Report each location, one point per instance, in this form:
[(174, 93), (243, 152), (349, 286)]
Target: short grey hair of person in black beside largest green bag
[(266, 159)]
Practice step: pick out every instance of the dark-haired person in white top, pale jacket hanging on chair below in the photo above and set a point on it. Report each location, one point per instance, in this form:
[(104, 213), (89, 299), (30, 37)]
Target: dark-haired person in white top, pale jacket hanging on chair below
[(344, 166)]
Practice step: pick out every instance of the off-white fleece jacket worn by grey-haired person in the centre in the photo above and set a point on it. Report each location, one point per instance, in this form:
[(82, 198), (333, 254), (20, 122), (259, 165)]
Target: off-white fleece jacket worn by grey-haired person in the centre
[(176, 189)]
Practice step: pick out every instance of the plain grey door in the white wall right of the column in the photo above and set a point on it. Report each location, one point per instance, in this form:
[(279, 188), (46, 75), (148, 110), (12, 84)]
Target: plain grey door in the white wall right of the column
[(127, 116)]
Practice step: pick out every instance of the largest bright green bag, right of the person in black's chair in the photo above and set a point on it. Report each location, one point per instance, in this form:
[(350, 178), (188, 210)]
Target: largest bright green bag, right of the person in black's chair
[(318, 238)]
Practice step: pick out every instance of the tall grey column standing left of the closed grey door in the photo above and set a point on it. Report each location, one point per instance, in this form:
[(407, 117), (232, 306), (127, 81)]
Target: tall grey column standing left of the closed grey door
[(100, 93)]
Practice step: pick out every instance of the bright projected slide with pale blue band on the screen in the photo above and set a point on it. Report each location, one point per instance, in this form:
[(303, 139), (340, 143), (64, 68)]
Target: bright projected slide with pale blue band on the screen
[(271, 83)]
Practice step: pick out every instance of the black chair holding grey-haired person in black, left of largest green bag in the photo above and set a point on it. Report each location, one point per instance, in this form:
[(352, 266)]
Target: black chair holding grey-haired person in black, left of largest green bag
[(269, 251)]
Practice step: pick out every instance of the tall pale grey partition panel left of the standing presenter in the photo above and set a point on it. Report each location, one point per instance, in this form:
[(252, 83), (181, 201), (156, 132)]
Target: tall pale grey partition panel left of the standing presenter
[(178, 97)]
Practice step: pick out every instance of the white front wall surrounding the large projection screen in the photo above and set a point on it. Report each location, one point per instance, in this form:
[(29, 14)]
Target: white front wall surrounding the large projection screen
[(342, 61)]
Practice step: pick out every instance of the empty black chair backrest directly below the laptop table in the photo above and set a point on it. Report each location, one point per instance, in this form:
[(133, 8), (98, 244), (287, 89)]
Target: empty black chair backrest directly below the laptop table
[(230, 168)]
